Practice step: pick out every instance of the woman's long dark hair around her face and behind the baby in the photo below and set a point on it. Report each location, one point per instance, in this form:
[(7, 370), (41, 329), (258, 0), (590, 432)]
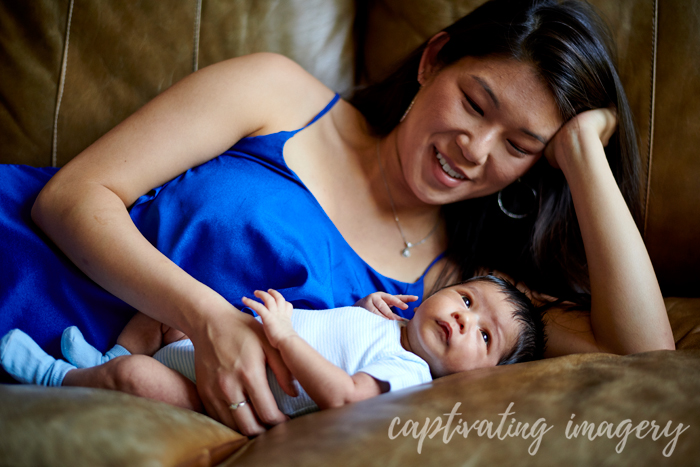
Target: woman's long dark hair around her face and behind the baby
[(570, 48)]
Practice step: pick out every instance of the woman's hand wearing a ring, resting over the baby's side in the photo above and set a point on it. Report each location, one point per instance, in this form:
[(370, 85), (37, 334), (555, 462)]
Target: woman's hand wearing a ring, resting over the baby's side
[(230, 358)]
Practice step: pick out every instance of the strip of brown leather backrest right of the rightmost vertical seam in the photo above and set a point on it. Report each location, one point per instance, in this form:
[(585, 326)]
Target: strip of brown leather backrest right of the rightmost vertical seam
[(673, 210)]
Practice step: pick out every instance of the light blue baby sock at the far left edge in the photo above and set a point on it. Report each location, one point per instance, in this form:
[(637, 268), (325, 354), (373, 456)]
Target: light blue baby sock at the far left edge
[(21, 357)]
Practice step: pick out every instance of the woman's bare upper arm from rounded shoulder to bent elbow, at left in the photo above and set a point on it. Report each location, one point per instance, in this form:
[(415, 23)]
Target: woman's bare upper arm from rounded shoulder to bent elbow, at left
[(197, 119)]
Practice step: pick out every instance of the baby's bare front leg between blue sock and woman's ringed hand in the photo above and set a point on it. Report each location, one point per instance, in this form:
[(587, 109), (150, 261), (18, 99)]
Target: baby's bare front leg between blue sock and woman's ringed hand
[(139, 375)]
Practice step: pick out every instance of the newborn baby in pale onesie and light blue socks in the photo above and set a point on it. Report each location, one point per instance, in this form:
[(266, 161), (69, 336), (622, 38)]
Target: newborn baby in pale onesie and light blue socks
[(345, 354)]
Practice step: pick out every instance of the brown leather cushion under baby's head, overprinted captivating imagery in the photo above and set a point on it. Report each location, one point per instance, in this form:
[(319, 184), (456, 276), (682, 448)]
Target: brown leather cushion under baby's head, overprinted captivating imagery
[(662, 386)]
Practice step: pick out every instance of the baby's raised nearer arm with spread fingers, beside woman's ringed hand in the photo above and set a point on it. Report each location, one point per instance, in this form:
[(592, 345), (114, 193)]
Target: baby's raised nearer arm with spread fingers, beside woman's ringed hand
[(328, 385)]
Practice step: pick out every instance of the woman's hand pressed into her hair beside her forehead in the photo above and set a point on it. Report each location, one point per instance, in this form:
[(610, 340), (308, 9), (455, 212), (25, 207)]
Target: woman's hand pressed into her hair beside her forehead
[(576, 135)]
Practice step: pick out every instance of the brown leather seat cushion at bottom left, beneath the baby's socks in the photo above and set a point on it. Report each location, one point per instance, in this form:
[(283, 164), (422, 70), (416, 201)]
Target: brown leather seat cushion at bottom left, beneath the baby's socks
[(88, 427)]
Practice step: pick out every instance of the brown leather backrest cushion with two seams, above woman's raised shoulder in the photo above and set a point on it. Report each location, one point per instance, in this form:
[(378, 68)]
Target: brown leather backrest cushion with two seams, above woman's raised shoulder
[(119, 55)]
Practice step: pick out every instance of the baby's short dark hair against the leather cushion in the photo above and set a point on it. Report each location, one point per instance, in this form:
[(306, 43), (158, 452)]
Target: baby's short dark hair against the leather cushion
[(532, 340)]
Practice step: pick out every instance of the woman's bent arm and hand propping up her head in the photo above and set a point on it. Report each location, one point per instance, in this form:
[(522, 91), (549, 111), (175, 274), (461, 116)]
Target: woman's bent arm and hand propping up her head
[(627, 310)]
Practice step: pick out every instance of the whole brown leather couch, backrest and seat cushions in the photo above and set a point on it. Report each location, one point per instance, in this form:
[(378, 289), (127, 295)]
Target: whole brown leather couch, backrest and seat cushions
[(71, 70)]
